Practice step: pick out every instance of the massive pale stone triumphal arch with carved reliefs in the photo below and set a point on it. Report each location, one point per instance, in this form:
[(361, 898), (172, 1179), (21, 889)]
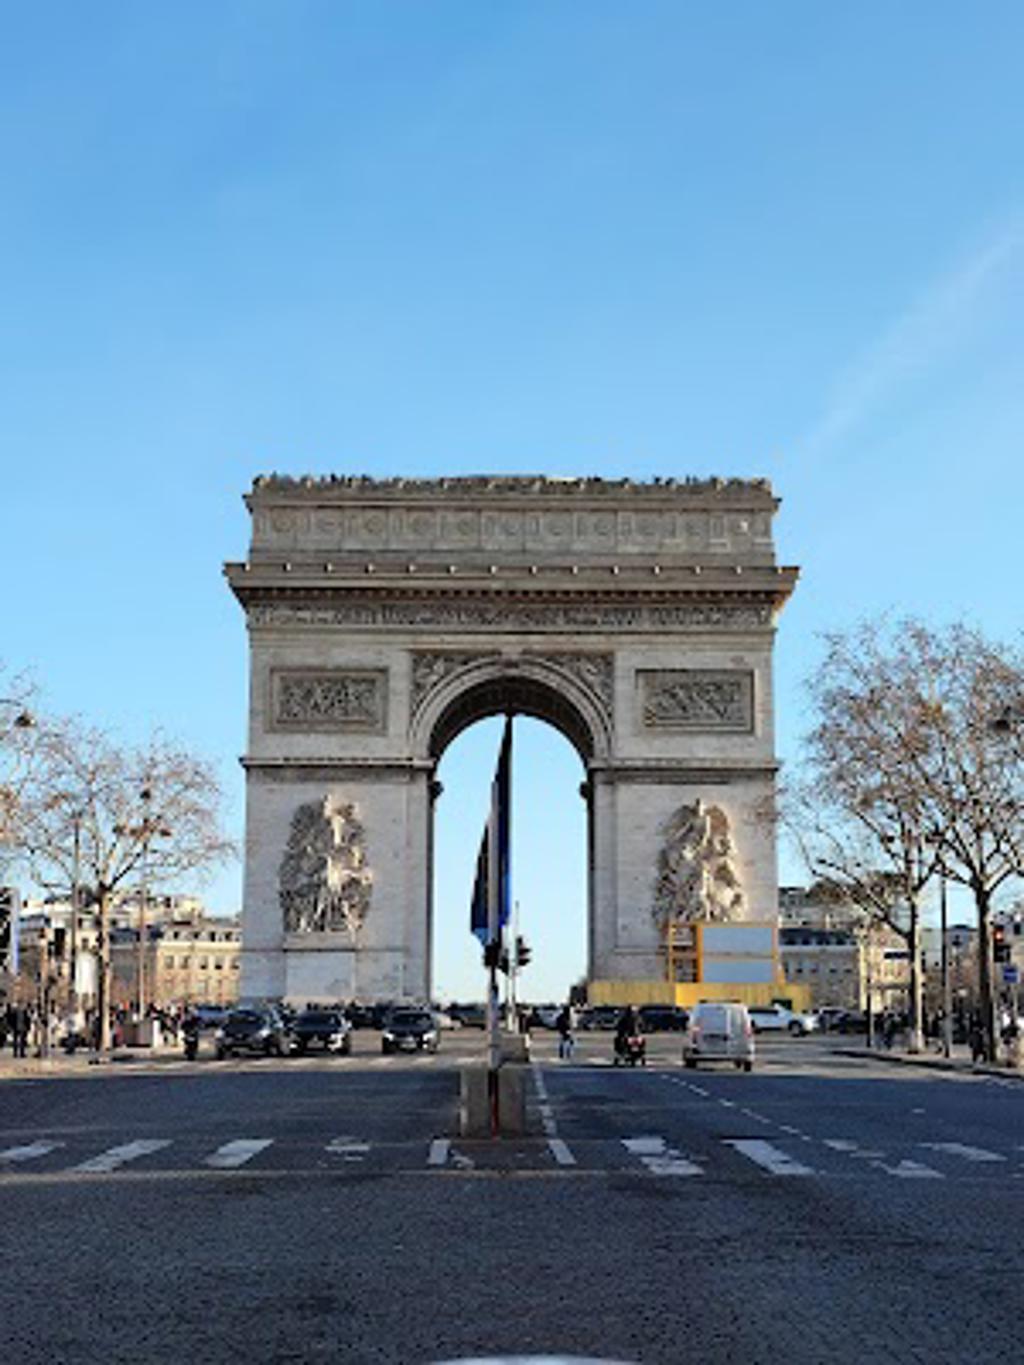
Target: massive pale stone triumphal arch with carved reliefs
[(387, 616)]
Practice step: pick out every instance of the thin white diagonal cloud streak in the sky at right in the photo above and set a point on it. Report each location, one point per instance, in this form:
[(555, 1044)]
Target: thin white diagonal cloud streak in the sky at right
[(930, 330)]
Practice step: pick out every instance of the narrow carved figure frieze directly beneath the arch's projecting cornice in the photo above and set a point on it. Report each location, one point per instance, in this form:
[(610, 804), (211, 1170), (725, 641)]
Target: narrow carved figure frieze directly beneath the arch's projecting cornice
[(520, 616)]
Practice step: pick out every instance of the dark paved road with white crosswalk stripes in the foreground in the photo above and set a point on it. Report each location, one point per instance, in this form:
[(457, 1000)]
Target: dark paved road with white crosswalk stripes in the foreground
[(819, 1210)]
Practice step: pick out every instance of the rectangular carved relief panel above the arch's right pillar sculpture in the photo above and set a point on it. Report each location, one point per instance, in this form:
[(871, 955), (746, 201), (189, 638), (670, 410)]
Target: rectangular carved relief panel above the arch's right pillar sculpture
[(700, 701)]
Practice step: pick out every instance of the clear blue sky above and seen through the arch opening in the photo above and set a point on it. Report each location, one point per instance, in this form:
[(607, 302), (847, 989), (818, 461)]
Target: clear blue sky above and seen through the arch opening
[(421, 238)]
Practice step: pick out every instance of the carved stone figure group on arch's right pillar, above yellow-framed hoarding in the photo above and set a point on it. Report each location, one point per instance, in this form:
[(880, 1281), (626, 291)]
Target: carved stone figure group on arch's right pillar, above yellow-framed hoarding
[(697, 874)]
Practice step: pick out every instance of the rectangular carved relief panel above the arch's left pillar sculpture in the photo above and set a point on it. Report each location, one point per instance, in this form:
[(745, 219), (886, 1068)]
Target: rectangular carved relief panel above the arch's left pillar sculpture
[(349, 701)]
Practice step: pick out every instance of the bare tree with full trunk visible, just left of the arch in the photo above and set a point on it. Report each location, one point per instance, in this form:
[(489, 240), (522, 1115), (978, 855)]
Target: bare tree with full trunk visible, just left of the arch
[(95, 814)]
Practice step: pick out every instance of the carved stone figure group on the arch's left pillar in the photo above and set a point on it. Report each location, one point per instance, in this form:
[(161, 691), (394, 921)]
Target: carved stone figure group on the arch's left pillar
[(326, 885)]
